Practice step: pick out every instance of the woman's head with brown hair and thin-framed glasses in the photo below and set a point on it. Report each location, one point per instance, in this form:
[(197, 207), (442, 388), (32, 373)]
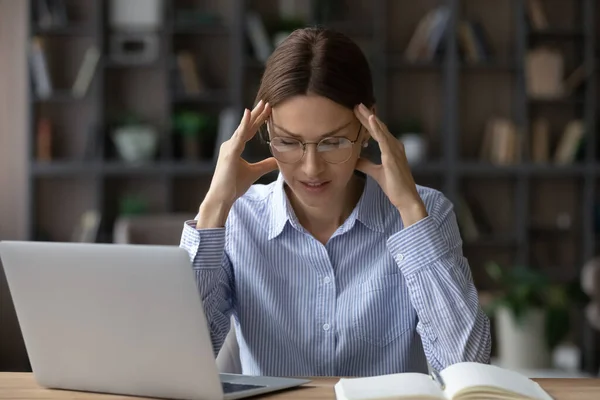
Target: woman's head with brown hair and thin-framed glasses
[(312, 81)]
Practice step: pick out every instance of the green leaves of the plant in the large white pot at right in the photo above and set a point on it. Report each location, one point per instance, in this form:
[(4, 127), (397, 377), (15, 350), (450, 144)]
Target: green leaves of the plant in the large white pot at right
[(522, 289)]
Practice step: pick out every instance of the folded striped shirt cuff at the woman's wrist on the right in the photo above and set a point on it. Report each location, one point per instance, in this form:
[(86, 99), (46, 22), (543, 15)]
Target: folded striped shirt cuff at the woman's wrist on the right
[(418, 245)]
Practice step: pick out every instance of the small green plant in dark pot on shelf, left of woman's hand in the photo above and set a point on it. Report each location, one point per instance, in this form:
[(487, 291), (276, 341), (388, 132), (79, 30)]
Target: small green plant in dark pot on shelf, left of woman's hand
[(192, 127)]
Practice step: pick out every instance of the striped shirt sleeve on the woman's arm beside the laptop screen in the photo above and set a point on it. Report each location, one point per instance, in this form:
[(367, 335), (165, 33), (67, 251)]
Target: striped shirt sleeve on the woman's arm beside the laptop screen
[(214, 277)]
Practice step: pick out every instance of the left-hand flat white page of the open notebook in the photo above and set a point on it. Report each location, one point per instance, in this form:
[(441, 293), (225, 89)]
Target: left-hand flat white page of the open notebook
[(393, 386)]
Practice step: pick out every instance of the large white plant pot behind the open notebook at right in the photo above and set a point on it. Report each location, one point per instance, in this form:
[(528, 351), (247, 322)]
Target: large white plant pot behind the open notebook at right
[(522, 345)]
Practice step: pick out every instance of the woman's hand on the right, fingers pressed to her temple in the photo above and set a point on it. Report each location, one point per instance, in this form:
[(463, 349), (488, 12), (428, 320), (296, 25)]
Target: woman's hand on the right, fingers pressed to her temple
[(393, 174)]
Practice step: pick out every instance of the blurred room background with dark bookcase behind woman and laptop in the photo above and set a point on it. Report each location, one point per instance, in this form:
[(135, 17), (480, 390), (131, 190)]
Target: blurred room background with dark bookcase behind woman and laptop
[(111, 112)]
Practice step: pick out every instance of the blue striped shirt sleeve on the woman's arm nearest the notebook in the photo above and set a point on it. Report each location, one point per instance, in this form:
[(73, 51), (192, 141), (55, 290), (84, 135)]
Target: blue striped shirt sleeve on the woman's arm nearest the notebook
[(452, 325)]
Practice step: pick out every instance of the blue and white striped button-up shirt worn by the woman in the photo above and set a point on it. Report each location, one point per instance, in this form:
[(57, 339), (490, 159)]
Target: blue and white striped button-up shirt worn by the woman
[(378, 298)]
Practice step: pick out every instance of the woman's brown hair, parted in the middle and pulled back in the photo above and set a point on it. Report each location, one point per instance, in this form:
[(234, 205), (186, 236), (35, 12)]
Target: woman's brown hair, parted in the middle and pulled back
[(317, 60)]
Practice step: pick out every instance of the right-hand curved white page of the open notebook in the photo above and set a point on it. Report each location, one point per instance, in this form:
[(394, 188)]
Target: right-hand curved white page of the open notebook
[(464, 375)]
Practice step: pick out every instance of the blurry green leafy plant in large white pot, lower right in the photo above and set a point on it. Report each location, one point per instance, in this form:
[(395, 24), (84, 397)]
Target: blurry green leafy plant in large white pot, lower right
[(532, 315)]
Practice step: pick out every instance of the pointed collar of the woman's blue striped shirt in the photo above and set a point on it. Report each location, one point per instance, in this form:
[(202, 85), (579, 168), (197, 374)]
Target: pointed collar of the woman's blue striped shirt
[(368, 210)]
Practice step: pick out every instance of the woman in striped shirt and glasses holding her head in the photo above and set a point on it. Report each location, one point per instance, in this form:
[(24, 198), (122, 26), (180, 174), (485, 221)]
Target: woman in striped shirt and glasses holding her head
[(340, 267)]
